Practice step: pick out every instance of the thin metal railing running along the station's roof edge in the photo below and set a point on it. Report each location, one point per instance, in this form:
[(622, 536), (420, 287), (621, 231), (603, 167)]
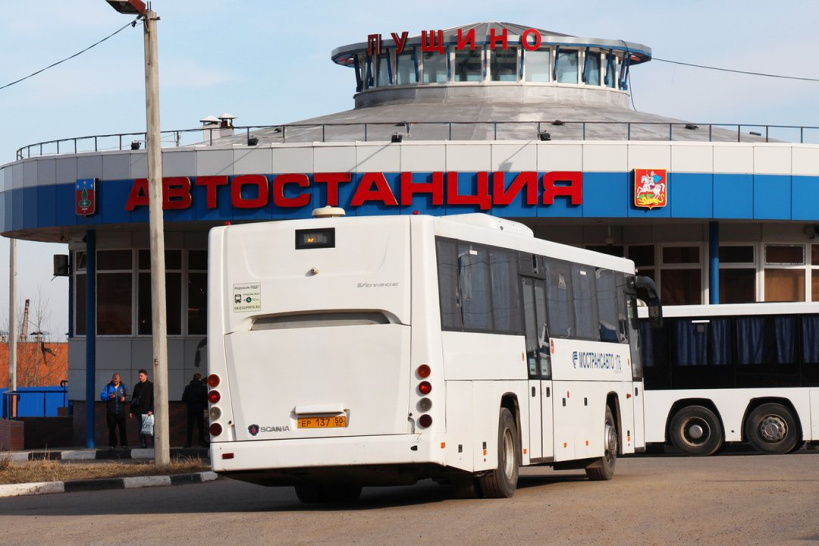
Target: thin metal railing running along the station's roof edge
[(444, 130)]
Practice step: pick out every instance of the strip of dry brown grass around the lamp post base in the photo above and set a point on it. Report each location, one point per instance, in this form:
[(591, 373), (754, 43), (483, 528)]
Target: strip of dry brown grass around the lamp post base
[(60, 471)]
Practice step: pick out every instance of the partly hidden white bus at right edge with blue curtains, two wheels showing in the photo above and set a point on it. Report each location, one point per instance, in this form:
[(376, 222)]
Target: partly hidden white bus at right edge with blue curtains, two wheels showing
[(733, 373)]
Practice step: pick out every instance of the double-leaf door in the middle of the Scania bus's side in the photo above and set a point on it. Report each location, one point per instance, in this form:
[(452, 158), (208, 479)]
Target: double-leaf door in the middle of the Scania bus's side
[(538, 360)]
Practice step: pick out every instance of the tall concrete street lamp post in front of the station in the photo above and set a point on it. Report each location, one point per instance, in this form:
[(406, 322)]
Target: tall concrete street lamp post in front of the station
[(156, 229)]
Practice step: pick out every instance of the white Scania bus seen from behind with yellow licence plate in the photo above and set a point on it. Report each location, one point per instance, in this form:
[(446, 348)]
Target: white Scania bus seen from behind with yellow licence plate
[(345, 352)]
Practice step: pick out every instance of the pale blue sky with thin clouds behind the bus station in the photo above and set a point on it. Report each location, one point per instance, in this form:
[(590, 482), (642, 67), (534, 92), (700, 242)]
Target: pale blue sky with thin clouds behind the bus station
[(268, 62)]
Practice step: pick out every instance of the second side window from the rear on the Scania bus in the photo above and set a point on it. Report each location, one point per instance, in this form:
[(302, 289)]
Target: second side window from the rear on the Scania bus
[(473, 276)]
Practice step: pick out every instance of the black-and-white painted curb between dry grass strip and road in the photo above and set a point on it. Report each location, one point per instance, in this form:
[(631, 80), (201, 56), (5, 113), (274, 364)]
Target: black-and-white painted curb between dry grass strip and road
[(46, 488)]
